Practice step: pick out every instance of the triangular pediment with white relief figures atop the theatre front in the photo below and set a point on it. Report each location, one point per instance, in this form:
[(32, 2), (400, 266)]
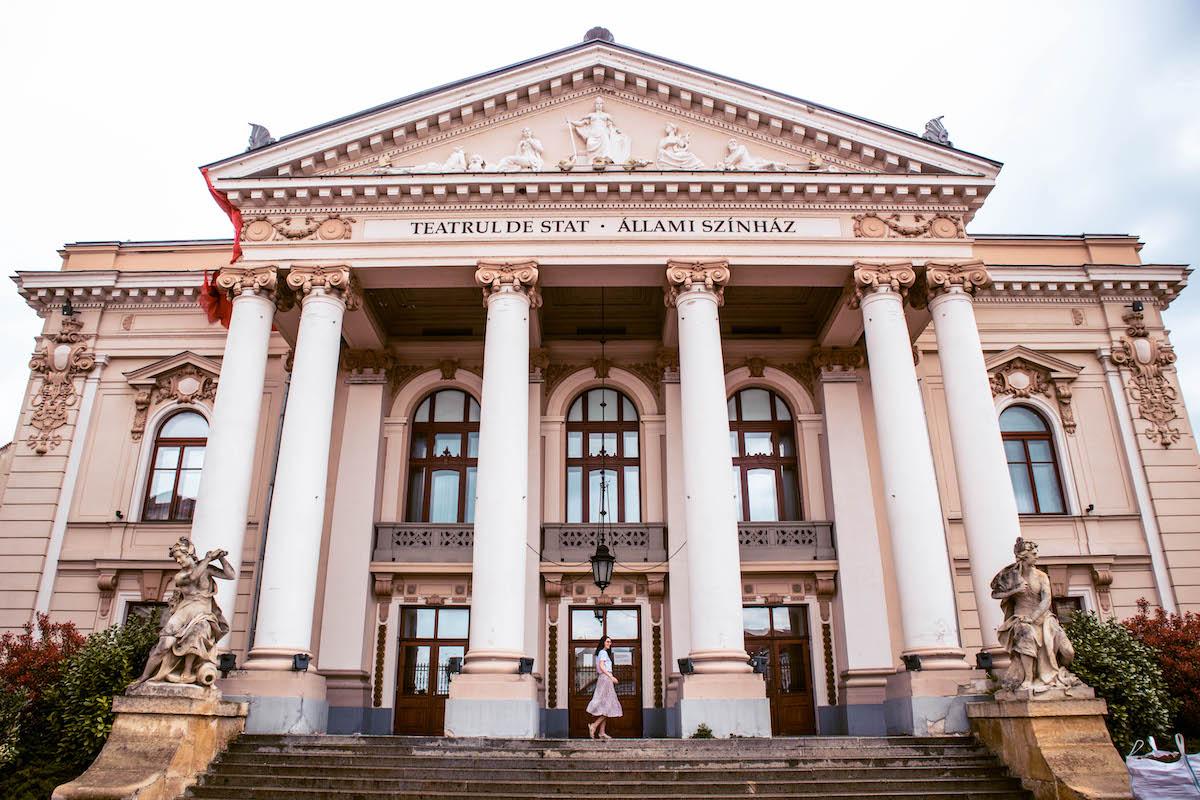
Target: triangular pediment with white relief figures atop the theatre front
[(485, 116)]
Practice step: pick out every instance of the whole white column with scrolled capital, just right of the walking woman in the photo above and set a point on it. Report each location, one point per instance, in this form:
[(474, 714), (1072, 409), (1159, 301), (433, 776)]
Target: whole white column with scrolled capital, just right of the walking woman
[(723, 693)]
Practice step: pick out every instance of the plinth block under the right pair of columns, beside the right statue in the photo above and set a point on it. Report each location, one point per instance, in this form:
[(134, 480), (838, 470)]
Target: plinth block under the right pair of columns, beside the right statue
[(932, 703)]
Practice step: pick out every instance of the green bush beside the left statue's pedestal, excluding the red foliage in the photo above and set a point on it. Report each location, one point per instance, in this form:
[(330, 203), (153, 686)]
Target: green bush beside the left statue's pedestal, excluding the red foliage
[(59, 735)]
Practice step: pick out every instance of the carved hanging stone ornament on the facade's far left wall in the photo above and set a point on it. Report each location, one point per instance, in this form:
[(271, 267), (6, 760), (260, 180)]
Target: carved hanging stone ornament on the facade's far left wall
[(64, 357)]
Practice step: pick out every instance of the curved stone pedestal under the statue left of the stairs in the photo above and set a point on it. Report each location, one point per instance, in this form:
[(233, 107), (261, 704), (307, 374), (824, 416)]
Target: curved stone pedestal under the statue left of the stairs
[(164, 736)]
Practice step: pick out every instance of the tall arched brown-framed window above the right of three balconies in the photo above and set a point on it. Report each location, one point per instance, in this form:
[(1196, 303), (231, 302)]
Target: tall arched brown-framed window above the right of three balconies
[(763, 437)]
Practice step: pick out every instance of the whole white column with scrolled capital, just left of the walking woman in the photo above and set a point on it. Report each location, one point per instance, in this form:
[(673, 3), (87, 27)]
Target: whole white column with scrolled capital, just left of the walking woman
[(490, 699)]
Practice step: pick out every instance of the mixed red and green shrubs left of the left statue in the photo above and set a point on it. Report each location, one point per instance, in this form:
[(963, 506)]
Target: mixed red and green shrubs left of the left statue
[(57, 700)]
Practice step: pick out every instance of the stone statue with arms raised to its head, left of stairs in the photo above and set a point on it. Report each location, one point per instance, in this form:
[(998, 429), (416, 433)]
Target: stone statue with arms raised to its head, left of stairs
[(187, 652)]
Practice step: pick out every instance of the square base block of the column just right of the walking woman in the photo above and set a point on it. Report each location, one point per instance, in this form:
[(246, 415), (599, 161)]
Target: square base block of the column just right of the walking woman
[(731, 705)]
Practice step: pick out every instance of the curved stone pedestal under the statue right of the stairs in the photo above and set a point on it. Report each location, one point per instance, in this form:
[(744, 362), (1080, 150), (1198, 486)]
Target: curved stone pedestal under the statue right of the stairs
[(1060, 749)]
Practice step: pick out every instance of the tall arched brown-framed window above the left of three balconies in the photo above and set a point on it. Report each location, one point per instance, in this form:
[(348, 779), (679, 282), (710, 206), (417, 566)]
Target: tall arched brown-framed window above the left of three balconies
[(443, 459)]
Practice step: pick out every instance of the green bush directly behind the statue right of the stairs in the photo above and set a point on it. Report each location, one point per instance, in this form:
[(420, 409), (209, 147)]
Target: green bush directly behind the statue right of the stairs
[(1127, 675)]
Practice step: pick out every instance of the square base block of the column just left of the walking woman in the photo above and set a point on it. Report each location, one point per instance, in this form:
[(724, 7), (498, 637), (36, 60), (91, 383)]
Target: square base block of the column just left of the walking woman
[(484, 705)]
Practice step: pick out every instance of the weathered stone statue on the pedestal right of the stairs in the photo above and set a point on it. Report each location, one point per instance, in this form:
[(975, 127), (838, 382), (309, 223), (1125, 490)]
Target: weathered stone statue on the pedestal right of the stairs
[(1040, 648)]
